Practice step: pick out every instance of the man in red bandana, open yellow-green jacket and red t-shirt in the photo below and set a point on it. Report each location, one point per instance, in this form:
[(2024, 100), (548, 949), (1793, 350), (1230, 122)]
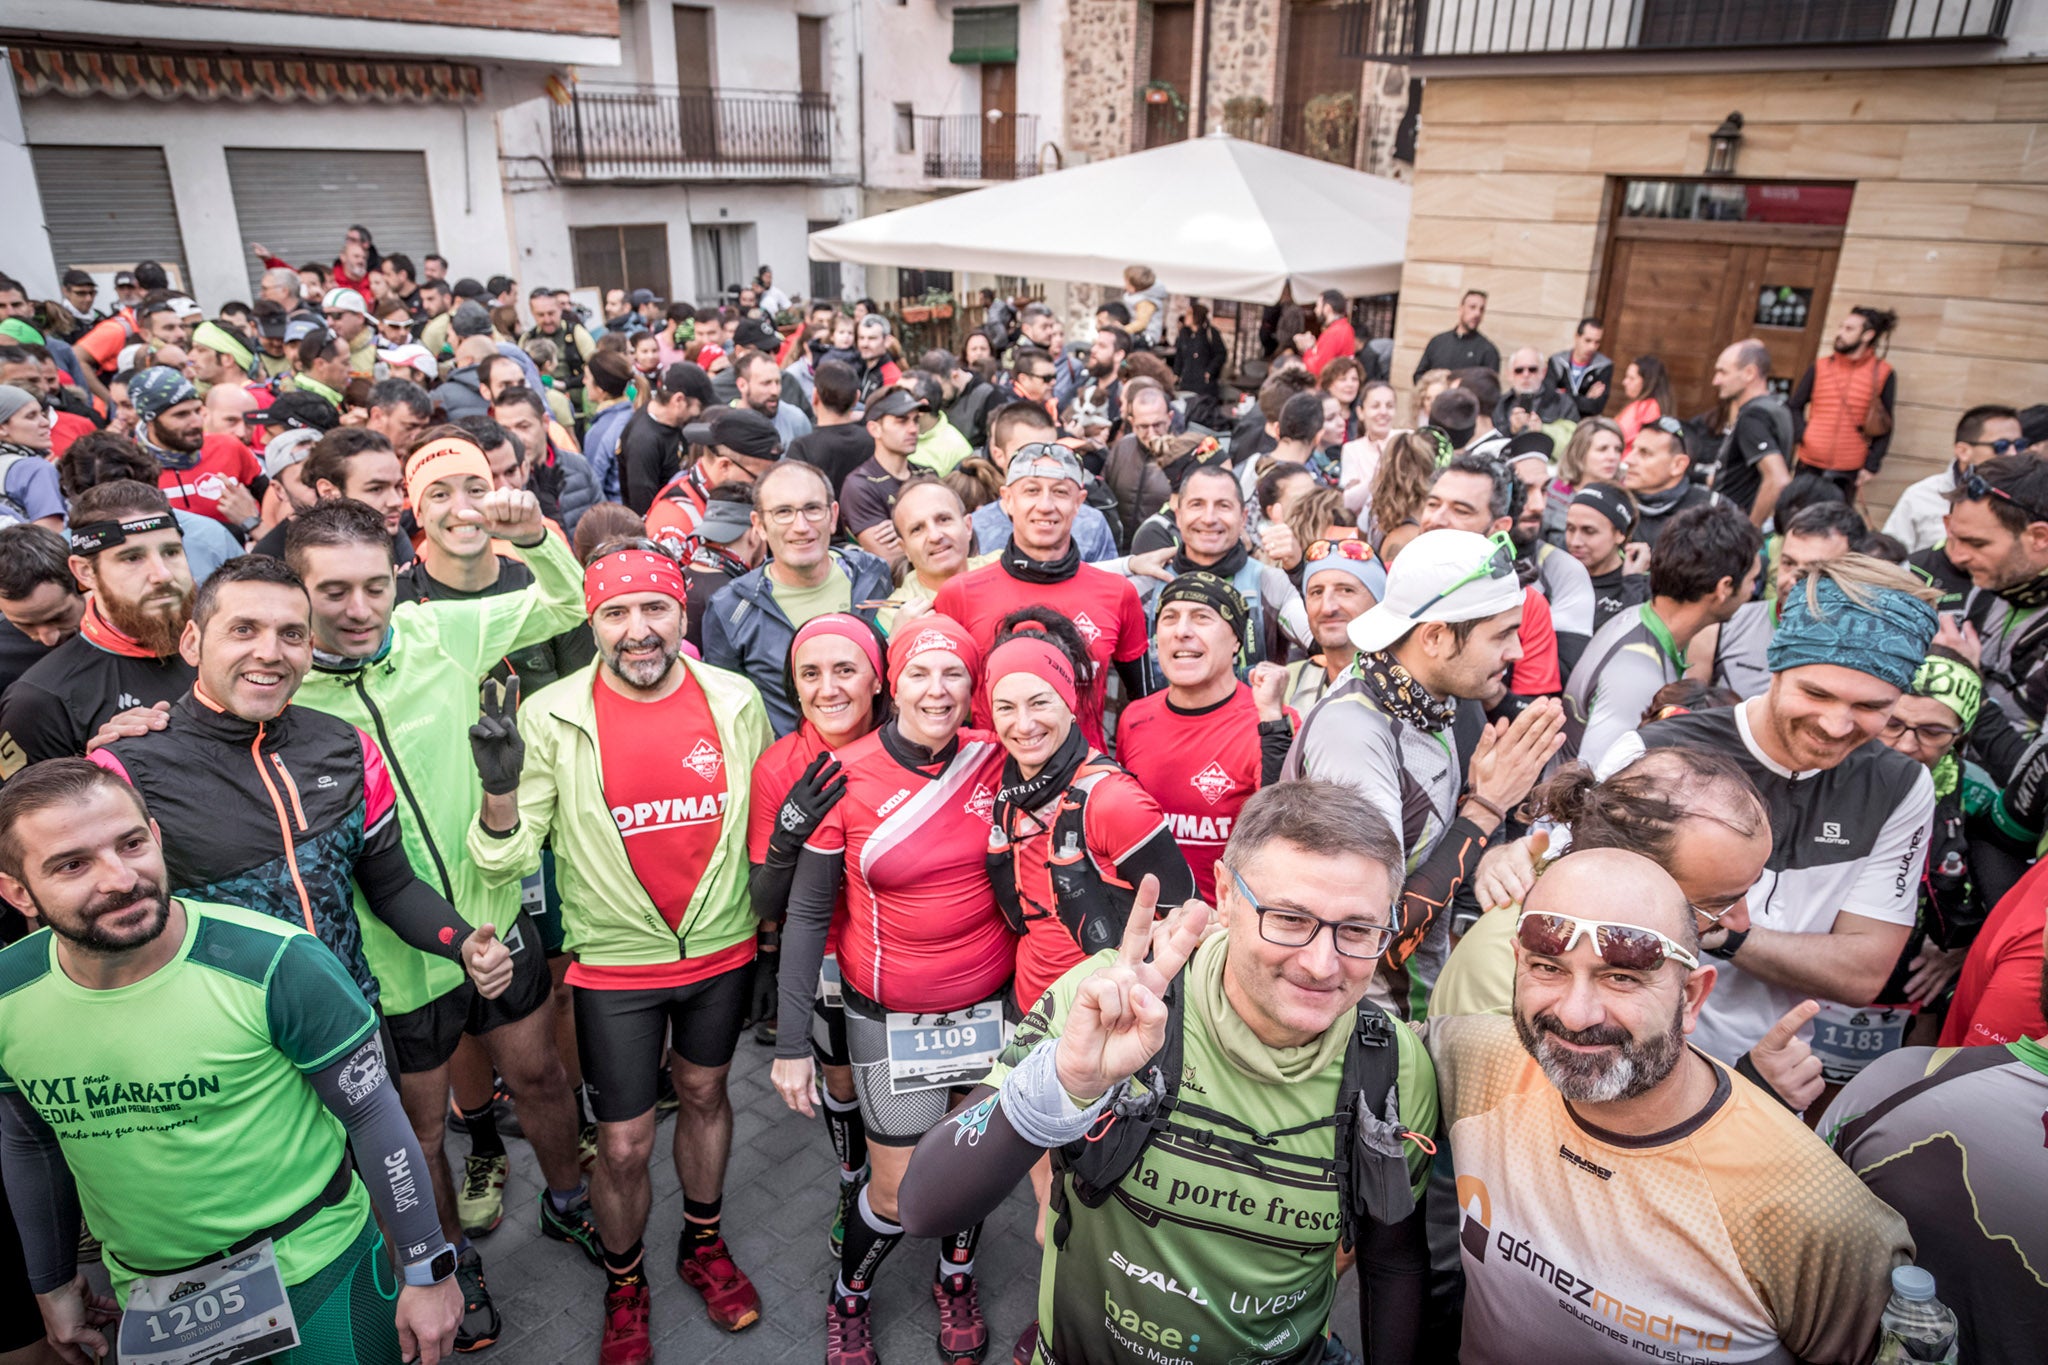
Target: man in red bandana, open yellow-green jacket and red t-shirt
[(636, 768)]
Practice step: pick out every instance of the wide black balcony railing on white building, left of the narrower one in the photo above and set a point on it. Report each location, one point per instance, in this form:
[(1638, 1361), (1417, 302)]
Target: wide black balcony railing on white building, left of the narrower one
[(648, 134)]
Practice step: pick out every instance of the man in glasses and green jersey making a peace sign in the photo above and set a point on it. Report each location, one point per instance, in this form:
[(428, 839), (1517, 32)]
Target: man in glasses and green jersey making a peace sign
[(1218, 1241)]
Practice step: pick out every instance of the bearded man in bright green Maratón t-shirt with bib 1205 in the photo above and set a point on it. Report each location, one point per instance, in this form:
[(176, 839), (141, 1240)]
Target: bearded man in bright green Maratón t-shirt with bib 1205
[(194, 1077)]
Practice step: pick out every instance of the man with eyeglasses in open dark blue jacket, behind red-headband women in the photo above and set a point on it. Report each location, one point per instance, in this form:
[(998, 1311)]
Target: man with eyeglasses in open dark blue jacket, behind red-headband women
[(755, 619)]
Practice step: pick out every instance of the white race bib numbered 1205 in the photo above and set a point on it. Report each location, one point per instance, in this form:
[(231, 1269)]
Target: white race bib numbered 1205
[(232, 1309)]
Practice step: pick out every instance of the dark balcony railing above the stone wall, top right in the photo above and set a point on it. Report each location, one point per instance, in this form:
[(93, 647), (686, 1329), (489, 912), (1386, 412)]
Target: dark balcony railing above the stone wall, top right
[(1408, 30)]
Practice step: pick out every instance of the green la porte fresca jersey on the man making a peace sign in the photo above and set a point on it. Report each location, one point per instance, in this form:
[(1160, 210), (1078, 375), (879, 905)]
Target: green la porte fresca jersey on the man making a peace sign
[(1215, 1249)]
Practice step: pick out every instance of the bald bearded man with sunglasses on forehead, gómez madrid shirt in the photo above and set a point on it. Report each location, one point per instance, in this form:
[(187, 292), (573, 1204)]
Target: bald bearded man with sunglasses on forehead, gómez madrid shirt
[(1623, 1194)]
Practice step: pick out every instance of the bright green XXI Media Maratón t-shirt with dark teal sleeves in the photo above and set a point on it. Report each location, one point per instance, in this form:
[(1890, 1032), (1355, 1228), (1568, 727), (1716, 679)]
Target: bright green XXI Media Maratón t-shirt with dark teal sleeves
[(181, 1100)]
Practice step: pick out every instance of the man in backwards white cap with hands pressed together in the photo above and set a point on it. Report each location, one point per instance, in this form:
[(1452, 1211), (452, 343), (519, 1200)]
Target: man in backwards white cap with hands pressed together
[(1441, 637)]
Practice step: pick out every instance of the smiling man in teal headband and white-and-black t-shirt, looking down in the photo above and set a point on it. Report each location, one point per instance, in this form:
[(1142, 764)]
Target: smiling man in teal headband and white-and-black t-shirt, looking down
[(1836, 904)]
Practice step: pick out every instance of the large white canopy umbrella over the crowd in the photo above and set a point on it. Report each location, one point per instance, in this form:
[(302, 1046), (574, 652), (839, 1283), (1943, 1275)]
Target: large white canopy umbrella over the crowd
[(1211, 216)]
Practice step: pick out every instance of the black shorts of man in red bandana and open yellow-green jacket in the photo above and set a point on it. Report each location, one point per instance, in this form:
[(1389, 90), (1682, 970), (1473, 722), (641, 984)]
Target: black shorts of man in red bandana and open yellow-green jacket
[(622, 1037)]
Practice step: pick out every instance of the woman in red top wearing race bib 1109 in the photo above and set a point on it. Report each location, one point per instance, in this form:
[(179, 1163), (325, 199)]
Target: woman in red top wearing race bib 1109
[(925, 959)]
